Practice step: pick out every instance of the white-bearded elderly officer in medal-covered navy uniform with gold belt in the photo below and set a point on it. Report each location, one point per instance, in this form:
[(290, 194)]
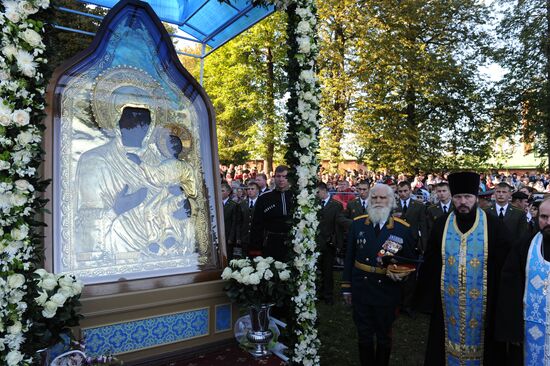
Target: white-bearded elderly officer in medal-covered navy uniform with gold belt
[(372, 289)]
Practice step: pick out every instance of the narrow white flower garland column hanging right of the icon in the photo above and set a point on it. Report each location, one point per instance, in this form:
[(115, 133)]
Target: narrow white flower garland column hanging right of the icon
[(306, 350)]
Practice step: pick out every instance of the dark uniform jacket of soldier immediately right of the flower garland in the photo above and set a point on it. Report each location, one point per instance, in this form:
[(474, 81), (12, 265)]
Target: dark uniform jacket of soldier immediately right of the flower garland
[(330, 233)]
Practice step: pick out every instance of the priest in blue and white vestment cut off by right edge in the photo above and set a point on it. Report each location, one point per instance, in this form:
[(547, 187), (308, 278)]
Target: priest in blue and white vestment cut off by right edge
[(523, 317)]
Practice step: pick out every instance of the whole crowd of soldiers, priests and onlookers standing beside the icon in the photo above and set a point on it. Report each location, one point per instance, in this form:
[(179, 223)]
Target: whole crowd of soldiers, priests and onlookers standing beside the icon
[(457, 246)]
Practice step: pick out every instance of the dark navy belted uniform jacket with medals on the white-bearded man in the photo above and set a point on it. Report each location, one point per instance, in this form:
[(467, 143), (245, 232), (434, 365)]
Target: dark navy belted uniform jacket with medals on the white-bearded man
[(364, 246)]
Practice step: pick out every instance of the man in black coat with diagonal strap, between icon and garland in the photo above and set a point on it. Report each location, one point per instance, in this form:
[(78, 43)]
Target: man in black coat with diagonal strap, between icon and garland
[(272, 221)]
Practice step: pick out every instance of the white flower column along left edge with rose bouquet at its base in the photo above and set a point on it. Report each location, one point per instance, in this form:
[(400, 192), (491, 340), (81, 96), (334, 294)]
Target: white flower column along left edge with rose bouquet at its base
[(34, 306)]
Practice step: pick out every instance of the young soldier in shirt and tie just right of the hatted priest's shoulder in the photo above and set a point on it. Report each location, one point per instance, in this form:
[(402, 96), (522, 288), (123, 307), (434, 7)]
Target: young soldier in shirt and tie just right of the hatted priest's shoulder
[(514, 218)]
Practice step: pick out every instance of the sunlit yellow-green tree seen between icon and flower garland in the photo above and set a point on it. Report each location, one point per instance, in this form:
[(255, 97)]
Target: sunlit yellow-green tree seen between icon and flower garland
[(245, 80)]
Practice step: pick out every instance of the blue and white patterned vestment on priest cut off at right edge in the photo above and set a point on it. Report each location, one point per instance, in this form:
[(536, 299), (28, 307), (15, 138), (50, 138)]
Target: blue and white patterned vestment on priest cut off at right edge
[(535, 301)]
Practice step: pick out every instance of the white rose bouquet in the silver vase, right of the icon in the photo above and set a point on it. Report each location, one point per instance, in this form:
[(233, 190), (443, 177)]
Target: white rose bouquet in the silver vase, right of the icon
[(257, 281)]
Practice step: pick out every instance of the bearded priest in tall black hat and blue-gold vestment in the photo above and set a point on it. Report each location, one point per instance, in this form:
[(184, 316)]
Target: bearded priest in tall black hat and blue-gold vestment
[(459, 280)]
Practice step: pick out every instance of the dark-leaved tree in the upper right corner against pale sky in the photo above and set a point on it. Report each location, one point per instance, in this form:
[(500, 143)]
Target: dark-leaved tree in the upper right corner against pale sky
[(522, 103)]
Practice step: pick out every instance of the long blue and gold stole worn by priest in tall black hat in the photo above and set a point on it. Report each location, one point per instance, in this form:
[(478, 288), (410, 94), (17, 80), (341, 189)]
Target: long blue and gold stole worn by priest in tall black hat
[(463, 290)]
